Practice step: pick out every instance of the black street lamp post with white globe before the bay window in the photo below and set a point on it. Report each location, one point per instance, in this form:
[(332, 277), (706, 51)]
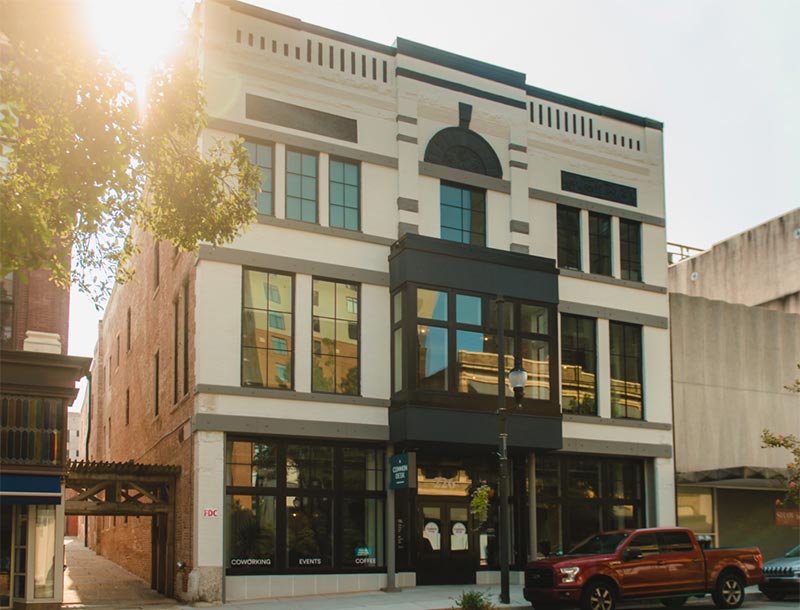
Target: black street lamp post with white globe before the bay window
[(517, 378)]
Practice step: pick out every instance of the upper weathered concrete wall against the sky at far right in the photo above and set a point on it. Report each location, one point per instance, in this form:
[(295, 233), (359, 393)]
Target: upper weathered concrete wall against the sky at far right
[(760, 266)]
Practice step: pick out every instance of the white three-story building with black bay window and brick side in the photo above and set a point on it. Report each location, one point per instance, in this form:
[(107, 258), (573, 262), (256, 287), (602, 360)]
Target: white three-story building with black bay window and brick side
[(404, 189)]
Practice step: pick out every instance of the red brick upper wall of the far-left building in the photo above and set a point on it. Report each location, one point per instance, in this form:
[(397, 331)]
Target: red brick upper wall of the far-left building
[(40, 305)]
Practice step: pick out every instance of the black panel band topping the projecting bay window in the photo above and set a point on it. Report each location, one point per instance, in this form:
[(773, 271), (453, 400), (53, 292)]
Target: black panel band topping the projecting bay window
[(437, 262)]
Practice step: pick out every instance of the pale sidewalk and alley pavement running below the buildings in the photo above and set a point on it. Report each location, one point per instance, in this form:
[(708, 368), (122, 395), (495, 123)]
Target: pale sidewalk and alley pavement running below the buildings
[(92, 582)]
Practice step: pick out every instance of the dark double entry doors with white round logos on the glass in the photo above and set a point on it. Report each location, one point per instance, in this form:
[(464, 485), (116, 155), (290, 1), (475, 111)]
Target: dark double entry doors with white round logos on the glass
[(446, 549)]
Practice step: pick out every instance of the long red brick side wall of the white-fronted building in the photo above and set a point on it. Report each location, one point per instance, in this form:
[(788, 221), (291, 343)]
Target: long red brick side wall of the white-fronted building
[(146, 437)]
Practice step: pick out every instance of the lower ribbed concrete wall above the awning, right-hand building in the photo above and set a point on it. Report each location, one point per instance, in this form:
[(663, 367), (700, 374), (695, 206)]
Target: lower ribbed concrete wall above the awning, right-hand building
[(730, 364)]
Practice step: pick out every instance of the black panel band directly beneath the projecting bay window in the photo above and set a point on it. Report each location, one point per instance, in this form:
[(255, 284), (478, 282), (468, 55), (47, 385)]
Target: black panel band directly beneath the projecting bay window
[(430, 425)]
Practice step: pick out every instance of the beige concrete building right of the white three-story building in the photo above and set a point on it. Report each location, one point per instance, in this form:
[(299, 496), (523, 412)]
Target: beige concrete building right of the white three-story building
[(735, 346)]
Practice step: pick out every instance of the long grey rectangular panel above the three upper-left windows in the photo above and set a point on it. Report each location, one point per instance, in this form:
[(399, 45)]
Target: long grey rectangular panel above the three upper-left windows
[(298, 117)]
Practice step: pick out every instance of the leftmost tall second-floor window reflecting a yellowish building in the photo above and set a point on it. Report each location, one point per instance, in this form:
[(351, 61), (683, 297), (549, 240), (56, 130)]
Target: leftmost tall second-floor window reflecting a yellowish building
[(267, 329)]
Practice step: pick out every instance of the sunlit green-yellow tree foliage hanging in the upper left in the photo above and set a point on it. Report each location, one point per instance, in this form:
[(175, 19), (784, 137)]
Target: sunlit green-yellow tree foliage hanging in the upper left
[(84, 161)]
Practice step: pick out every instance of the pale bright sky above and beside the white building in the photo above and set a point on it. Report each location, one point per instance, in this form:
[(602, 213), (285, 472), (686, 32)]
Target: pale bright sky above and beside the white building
[(722, 75)]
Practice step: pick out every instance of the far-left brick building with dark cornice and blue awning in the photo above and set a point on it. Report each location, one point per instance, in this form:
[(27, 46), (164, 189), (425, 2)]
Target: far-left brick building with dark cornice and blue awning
[(37, 385)]
